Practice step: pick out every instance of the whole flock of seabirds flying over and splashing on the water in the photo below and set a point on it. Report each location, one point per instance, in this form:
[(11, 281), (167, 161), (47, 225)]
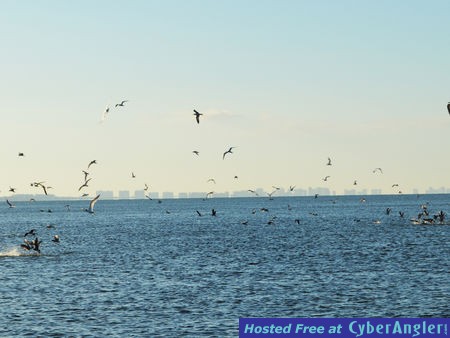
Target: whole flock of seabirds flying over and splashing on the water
[(424, 217)]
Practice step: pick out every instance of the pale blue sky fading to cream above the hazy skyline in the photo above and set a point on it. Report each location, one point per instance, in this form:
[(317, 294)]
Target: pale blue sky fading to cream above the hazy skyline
[(287, 83)]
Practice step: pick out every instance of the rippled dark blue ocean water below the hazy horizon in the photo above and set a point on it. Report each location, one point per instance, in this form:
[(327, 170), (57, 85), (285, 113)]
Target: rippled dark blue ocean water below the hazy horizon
[(139, 268)]
